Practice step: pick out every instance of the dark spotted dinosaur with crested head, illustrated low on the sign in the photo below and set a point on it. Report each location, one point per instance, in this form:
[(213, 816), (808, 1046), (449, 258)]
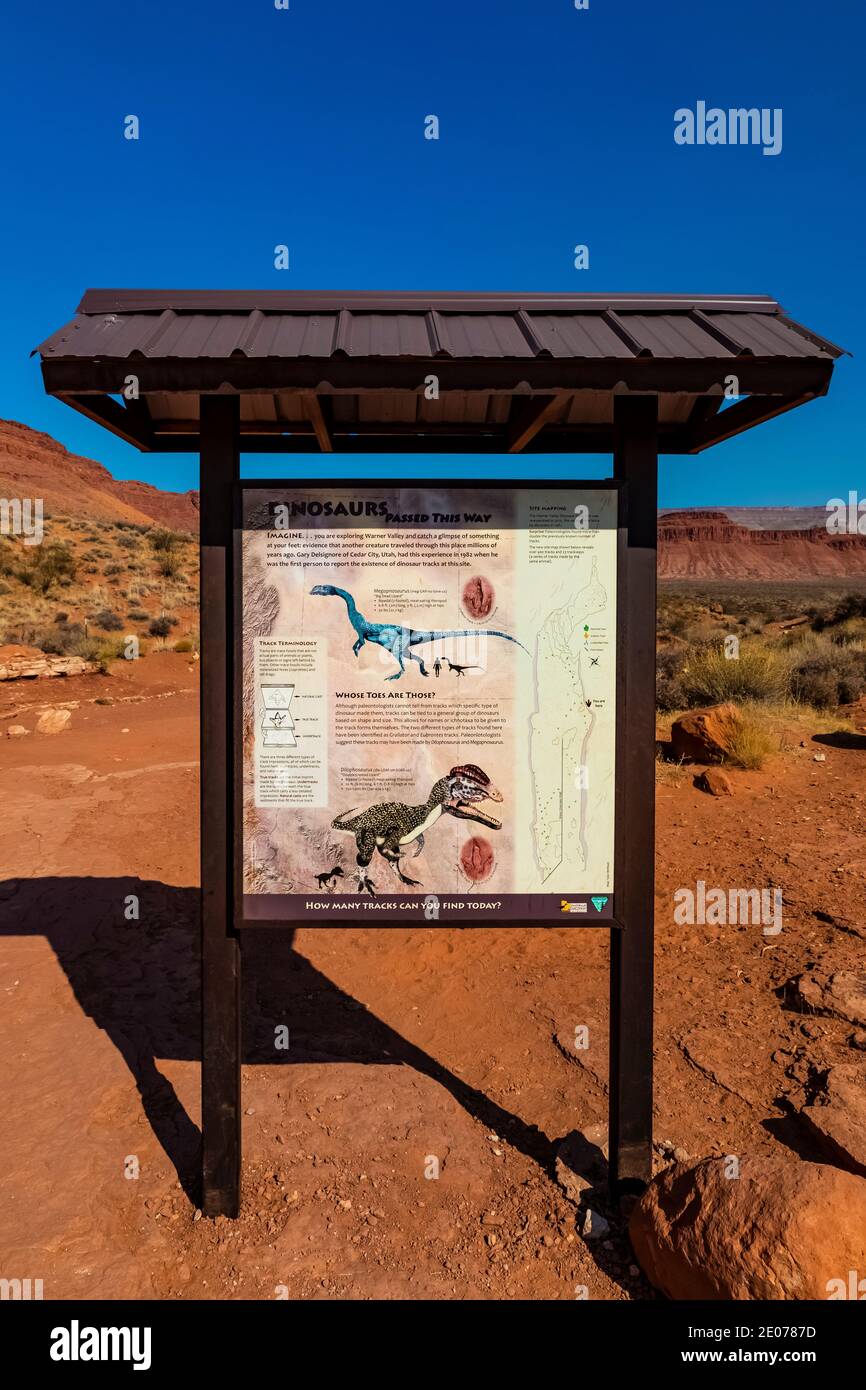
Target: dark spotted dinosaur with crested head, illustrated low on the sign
[(391, 826)]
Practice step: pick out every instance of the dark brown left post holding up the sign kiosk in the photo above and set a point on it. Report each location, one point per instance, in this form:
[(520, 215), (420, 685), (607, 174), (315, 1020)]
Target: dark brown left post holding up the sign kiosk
[(220, 469)]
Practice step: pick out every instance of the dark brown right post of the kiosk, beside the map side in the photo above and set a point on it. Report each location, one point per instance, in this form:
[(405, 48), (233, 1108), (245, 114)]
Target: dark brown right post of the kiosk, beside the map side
[(632, 949)]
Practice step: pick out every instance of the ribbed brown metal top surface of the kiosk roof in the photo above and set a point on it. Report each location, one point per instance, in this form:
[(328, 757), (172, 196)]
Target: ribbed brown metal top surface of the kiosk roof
[(564, 327)]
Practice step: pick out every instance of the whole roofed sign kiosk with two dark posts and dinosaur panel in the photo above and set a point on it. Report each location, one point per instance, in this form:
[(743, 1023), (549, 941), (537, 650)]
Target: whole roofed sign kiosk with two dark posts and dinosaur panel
[(443, 690)]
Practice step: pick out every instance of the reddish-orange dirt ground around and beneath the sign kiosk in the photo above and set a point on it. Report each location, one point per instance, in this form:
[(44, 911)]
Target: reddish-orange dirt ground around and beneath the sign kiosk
[(412, 1050)]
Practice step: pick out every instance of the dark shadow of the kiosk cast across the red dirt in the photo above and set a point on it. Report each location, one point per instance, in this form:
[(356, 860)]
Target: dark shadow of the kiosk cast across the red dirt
[(131, 953)]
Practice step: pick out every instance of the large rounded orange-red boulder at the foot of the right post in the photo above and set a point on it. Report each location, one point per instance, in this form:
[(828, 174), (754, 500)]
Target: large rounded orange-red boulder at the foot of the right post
[(781, 1231)]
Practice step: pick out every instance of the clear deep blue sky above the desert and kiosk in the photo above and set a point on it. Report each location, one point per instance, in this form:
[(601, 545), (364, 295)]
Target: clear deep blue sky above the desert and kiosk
[(262, 127)]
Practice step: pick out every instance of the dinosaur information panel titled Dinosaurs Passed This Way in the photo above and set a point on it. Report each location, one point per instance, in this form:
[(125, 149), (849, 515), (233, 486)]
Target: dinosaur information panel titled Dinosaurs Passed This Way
[(429, 703)]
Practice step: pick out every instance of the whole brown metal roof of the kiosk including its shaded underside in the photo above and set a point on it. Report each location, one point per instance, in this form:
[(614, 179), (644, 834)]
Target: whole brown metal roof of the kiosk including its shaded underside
[(351, 368)]
